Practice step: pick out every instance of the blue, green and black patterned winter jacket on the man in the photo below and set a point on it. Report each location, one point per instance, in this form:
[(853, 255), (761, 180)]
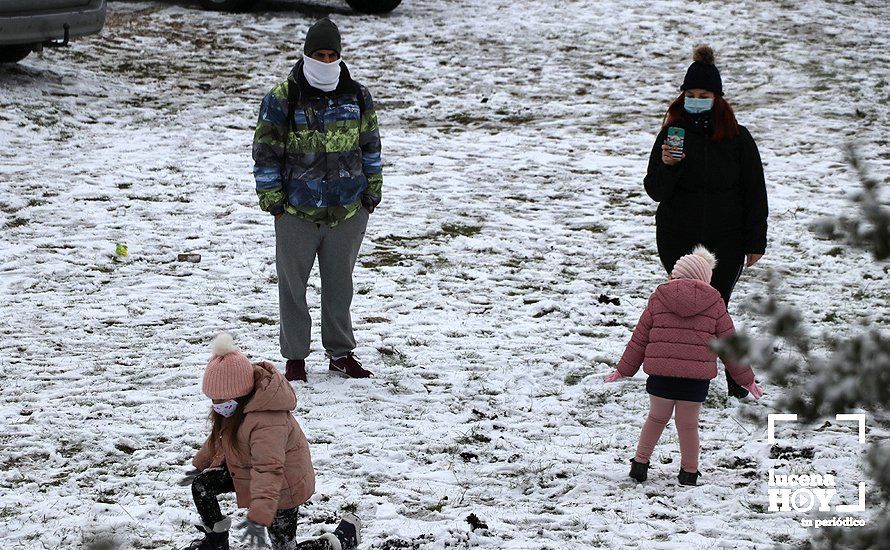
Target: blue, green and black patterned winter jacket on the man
[(332, 165)]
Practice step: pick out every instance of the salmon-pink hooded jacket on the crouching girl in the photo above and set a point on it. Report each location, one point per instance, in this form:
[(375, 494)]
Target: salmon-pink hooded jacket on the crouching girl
[(272, 468)]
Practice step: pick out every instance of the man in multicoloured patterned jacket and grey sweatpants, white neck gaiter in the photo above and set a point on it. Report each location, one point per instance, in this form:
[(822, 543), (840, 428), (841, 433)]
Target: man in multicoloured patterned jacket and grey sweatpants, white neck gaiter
[(318, 171)]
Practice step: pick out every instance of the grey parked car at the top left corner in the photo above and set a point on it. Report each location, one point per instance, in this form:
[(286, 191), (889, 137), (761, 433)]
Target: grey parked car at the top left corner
[(31, 25)]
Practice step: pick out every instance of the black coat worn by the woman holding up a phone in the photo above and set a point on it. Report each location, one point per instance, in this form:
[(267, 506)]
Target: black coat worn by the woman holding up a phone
[(716, 195)]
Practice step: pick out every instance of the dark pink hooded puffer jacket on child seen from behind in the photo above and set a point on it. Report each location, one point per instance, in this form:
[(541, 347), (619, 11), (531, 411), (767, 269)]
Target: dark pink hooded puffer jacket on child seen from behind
[(673, 334)]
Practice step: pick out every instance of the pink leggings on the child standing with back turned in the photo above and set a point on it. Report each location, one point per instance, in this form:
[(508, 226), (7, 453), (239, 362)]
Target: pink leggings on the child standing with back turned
[(660, 410)]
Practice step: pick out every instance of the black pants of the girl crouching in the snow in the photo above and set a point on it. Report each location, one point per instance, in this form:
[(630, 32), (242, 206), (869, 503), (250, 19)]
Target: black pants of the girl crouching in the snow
[(215, 481)]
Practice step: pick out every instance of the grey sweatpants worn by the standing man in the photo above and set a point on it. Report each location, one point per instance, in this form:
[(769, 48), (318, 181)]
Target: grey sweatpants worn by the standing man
[(297, 243)]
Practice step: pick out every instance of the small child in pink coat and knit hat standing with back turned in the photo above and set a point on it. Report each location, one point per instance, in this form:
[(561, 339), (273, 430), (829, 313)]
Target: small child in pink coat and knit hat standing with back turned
[(672, 340)]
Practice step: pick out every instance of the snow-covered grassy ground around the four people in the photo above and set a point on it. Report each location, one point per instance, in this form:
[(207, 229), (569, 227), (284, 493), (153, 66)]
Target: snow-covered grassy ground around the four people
[(515, 140)]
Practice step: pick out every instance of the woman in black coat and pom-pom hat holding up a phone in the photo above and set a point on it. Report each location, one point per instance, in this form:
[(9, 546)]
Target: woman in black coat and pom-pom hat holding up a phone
[(714, 194)]
